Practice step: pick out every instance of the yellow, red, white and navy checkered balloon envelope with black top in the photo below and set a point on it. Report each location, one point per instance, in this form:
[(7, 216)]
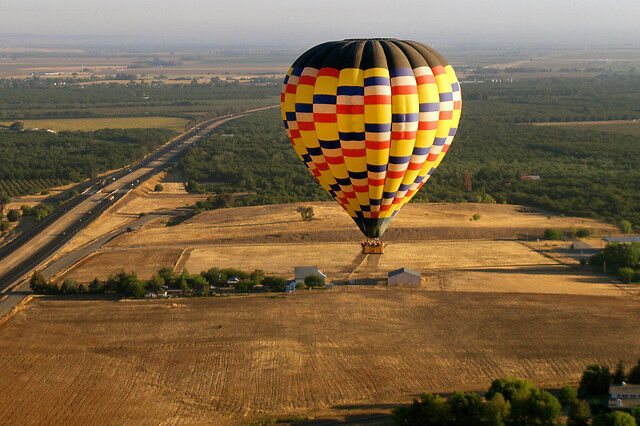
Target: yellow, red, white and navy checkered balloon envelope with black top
[(372, 120)]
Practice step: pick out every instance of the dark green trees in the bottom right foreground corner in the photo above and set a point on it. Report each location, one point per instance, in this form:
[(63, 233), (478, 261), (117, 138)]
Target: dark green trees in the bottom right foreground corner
[(511, 401)]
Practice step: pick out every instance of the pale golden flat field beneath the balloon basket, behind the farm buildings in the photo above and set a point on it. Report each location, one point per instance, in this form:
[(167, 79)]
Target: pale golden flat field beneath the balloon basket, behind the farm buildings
[(339, 259)]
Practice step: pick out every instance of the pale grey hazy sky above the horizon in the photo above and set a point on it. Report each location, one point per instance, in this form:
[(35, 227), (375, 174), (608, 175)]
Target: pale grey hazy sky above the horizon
[(291, 23)]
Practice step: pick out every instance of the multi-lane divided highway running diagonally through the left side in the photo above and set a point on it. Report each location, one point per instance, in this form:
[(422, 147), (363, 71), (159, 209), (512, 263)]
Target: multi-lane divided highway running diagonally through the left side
[(40, 244)]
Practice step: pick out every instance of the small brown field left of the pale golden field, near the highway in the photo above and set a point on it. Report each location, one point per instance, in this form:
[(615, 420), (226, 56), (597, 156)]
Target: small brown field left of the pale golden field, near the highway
[(144, 262)]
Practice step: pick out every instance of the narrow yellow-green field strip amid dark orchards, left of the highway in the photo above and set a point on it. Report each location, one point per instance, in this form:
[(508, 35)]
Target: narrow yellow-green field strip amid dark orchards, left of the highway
[(90, 124)]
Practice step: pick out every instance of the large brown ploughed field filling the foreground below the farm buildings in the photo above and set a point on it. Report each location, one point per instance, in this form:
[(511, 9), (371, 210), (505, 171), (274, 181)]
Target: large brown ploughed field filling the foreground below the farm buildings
[(316, 353)]
